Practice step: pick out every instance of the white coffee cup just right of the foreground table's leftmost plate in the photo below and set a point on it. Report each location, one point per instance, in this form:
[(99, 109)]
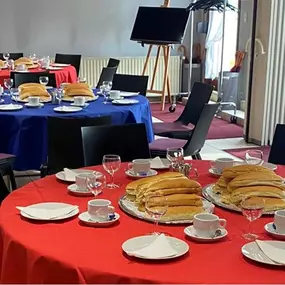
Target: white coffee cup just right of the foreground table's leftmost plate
[(100, 209)]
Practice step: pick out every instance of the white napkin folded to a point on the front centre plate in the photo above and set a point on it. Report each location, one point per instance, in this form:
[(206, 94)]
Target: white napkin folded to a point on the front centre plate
[(159, 248)]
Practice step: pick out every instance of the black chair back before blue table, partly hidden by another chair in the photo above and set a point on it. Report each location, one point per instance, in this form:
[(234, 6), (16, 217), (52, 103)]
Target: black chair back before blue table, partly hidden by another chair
[(65, 142)]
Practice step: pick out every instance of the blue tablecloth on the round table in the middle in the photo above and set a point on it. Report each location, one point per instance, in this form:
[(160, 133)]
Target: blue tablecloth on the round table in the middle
[(24, 132)]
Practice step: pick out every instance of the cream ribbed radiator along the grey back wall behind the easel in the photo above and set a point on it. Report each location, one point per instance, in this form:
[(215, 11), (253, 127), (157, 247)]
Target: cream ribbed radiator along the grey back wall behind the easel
[(91, 69)]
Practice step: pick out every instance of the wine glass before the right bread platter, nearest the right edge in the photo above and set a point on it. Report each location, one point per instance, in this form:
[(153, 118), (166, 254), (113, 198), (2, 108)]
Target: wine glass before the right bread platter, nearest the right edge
[(252, 210)]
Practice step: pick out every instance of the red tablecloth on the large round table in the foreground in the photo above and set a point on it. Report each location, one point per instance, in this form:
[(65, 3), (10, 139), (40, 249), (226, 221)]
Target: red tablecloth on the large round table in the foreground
[(67, 252)]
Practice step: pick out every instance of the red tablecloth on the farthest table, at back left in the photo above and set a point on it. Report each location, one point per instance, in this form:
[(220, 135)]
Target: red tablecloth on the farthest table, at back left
[(67, 74)]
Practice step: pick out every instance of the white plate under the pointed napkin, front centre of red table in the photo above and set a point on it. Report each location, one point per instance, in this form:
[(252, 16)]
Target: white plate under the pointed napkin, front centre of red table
[(180, 246)]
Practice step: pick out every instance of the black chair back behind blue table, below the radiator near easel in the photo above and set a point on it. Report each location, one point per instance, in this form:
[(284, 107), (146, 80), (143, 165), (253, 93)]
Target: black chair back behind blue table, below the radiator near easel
[(130, 83)]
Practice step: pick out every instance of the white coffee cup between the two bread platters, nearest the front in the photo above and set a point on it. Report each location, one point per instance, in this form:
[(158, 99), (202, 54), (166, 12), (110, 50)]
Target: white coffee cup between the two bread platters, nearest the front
[(206, 224)]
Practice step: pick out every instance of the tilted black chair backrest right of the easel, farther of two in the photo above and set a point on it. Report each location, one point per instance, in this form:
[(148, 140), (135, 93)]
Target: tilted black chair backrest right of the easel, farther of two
[(200, 95)]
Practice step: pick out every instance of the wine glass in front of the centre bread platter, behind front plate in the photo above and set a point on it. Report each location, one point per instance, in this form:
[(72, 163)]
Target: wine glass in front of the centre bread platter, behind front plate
[(156, 206)]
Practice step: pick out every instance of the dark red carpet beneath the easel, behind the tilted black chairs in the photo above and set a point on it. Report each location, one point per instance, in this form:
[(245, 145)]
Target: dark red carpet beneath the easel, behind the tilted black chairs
[(219, 129)]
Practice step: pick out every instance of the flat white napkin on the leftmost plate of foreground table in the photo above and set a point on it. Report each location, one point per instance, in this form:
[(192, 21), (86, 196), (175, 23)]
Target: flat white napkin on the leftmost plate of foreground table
[(45, 213)]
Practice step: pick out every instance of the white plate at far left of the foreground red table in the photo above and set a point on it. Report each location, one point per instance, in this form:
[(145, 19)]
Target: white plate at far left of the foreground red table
[(51, 206)]
